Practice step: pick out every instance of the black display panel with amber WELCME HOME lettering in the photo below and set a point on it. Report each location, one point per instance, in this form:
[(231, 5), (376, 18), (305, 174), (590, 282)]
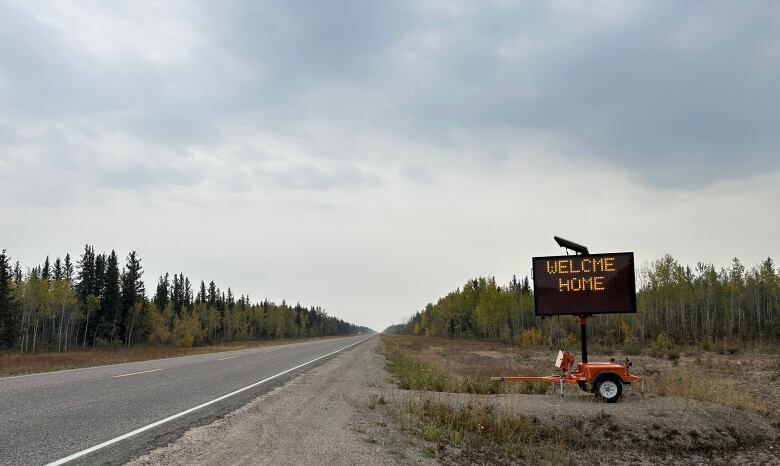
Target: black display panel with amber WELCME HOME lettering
[(582, 285)]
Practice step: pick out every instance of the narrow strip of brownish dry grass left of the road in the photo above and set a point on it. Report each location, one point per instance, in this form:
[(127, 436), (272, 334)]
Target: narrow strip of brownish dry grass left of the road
[(14, 363)]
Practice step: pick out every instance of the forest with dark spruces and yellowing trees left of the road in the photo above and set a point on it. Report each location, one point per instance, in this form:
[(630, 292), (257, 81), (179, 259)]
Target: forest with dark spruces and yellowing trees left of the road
[(60, 306)]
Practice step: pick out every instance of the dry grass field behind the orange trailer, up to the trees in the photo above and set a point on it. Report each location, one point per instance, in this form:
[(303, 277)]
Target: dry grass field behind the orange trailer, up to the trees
[(742, 380)]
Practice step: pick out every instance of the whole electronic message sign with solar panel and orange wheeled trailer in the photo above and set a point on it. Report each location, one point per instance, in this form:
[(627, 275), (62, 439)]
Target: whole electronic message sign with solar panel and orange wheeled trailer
[(583, 285)]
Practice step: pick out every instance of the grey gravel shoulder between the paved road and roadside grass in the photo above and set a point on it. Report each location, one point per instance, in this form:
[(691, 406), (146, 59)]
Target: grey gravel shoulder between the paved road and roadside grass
[(326, 415)]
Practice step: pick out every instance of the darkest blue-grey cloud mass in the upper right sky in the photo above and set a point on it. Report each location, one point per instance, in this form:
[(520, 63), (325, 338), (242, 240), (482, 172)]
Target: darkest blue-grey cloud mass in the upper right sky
[(621, 93)]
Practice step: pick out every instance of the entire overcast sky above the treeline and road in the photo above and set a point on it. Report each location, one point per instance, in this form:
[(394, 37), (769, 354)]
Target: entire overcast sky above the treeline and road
[(370, 157)]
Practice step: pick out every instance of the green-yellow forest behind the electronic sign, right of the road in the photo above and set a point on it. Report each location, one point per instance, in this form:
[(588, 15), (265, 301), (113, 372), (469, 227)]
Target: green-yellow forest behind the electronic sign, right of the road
[(676, 304)]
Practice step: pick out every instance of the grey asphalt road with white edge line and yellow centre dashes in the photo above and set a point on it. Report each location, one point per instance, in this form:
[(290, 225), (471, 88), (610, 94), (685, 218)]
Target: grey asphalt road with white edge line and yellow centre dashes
[(47, 417)]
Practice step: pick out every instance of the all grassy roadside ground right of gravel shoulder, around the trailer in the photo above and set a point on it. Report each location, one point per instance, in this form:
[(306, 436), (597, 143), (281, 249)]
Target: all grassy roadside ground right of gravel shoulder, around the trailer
[(449, 401)]
